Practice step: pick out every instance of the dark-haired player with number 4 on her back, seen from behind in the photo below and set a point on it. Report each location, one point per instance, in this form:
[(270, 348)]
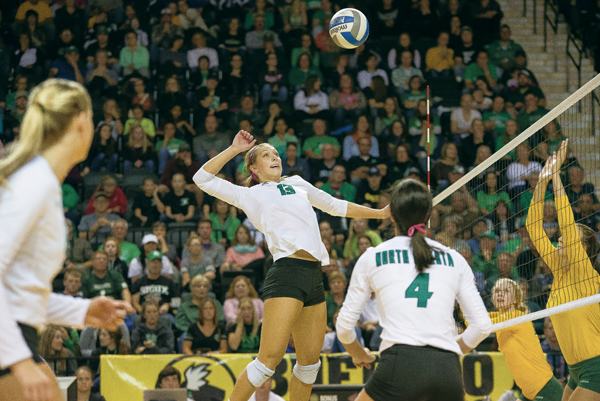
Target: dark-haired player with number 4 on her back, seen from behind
[(416, 281)]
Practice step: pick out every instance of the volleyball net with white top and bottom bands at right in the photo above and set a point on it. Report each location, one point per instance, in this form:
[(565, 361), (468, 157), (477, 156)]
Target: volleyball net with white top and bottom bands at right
[(488, 215)]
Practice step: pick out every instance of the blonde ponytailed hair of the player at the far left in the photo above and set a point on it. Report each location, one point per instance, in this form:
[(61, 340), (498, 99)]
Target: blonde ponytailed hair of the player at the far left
[(53, 105)]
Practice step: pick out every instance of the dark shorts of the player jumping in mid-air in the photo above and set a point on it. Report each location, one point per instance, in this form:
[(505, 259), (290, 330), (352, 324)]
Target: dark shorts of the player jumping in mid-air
[(295, 278)]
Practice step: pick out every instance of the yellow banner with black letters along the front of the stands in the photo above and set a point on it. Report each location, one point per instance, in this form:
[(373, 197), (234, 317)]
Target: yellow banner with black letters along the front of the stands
[(124, 378)]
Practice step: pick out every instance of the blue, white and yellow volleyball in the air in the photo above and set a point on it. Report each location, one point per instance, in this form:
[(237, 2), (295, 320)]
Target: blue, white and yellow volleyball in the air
[(349, 28)]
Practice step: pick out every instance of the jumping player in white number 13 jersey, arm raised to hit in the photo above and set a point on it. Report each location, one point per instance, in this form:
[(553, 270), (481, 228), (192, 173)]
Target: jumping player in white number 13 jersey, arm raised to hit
[(282, 209)]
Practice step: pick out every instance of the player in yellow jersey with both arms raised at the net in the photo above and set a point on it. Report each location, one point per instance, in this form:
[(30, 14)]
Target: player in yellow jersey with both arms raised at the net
[(571, 262)]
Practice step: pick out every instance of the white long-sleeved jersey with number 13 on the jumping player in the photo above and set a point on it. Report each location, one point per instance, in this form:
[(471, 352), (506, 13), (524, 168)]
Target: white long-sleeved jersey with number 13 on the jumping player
[(281, 211)]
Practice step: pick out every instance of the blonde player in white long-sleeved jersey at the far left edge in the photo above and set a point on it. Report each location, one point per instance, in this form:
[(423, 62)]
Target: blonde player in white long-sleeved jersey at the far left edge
[(56, 134)]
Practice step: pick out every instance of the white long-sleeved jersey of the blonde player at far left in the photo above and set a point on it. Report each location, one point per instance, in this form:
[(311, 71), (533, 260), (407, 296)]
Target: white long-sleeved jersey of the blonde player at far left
[(33, 241)]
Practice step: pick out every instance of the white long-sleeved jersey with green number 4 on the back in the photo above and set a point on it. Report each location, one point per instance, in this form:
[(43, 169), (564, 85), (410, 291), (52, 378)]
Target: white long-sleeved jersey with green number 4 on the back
[(414, 309)]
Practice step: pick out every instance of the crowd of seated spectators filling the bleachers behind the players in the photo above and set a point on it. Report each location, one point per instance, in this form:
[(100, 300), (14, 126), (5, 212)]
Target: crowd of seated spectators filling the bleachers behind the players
[(173, 81)]
